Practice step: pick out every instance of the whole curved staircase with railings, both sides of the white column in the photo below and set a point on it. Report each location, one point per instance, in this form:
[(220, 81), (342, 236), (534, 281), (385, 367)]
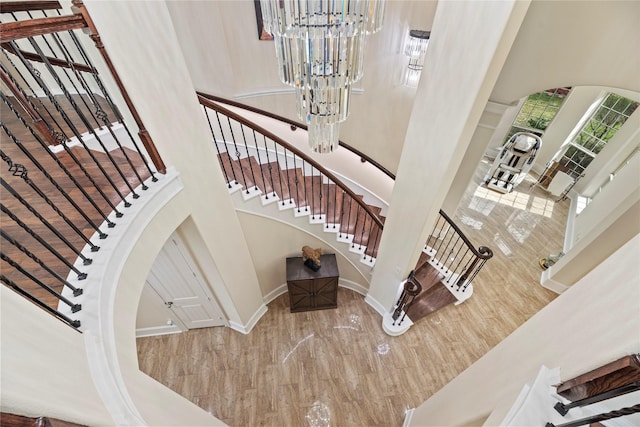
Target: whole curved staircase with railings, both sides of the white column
[(259, 165)]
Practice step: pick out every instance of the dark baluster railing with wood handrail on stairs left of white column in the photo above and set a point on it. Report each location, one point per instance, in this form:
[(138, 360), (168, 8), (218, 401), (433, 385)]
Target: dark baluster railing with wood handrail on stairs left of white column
[(260, 161)]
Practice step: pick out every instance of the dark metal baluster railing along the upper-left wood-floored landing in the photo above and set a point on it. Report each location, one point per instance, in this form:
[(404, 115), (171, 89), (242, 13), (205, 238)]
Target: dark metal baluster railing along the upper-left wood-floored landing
[(71, 163)]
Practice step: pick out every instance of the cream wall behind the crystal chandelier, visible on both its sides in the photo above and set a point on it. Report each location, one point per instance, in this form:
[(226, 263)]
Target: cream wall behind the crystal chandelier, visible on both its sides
[(225, 58)]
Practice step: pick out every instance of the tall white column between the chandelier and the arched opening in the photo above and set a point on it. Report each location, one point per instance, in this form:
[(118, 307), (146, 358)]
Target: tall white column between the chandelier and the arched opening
[(469, 43)]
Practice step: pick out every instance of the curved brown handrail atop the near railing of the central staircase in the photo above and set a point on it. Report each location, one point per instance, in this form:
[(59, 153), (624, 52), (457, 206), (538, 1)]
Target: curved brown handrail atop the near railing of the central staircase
[(214, 106)]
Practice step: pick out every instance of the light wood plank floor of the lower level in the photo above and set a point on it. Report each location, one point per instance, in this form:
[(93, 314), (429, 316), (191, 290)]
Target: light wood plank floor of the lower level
[(337, 367)]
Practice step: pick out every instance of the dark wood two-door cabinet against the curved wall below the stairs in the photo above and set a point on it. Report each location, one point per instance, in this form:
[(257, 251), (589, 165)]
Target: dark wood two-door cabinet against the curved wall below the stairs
[(312, 290)]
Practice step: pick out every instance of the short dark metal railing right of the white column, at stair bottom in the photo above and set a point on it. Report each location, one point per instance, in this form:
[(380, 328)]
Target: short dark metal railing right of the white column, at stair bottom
[(453, 254)]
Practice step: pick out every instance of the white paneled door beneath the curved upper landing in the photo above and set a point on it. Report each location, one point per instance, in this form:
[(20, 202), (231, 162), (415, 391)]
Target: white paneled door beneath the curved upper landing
[(177, 280)]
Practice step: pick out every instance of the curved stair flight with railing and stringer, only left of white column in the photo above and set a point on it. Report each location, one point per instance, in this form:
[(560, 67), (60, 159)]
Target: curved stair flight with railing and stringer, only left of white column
[(259, 165)]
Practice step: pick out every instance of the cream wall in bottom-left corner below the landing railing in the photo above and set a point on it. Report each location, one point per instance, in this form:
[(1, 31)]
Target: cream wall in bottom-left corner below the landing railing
[(44, 370)]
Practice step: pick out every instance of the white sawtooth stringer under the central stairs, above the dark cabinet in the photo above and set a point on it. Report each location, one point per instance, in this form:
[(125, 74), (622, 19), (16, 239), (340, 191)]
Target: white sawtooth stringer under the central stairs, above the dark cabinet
[(254, 206)]
